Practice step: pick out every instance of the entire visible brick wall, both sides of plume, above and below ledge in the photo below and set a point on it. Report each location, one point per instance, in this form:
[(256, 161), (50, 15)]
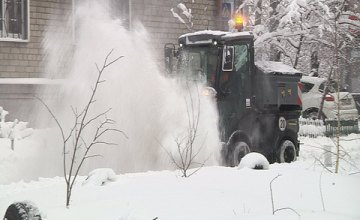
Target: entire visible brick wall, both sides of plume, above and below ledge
[(26, 59)]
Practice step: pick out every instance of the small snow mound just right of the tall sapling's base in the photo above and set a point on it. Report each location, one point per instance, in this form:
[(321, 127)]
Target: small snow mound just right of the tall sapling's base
[(100, 177)]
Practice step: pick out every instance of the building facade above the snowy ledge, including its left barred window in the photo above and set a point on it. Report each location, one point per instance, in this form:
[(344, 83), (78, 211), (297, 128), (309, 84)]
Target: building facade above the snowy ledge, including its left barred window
[(24, 23)]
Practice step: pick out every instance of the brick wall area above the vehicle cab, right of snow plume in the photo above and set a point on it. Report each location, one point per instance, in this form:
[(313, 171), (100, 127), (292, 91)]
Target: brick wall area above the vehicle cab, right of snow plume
[(163, 27)]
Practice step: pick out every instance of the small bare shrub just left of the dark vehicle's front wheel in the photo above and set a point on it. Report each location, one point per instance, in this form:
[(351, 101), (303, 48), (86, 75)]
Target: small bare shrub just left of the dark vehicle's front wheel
[(186, 153)]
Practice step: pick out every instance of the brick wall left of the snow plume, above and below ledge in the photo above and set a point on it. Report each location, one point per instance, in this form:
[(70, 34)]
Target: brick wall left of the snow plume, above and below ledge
[(25, 59)]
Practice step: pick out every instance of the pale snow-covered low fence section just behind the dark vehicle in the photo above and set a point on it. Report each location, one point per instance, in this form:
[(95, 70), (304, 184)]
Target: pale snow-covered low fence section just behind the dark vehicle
[(311, 128)]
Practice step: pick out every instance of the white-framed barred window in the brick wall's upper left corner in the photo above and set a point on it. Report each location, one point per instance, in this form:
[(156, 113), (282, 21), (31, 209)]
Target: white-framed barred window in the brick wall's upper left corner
[(14, 19)]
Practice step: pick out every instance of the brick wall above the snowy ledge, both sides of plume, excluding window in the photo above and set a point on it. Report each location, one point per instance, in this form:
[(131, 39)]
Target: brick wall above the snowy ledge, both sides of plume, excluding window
[(25, 59)]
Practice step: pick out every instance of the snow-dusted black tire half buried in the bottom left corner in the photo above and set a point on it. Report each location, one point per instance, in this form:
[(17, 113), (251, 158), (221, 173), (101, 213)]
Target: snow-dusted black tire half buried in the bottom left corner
[(22, 211)]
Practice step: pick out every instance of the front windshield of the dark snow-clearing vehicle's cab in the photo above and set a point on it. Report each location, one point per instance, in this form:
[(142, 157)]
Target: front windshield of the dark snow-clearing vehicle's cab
[(199, 64)]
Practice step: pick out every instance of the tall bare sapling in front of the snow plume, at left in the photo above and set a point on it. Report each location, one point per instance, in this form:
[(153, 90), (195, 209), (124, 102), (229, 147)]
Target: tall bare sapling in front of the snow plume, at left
[(75, 146)]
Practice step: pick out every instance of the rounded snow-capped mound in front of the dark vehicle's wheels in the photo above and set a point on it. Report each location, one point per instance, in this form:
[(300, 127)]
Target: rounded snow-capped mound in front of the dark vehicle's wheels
[(255, 161)]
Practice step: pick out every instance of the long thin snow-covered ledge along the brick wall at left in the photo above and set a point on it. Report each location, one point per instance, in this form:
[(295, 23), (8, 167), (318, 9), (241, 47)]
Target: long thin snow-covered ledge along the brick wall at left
[(31, 81)]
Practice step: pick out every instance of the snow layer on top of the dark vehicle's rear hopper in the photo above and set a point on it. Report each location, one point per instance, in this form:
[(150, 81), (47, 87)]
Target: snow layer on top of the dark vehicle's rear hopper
[(276, 67)]
